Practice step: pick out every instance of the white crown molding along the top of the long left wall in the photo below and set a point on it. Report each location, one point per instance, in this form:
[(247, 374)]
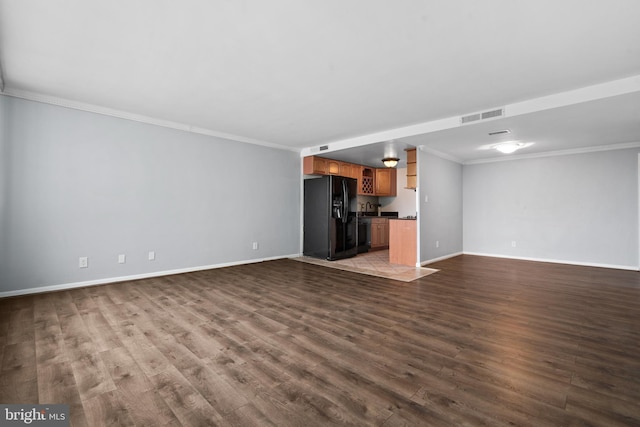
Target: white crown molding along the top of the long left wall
[(105, 111)]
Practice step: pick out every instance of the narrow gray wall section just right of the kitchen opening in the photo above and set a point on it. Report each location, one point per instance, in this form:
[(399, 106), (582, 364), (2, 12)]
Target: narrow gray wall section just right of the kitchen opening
[(441, 215)]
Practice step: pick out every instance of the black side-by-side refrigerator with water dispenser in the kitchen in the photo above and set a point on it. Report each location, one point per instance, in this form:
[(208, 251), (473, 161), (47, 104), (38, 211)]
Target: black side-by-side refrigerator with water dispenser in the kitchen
[(330, 219)]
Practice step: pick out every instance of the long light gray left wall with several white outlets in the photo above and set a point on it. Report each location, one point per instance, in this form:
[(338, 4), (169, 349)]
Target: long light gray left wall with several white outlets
[(83, 184)]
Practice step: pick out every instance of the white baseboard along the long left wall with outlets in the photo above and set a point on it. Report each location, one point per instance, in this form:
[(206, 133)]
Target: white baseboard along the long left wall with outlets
[(108, 280)]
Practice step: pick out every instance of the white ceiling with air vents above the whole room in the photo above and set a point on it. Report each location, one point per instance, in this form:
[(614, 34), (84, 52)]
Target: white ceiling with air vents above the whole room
[(301, 74)]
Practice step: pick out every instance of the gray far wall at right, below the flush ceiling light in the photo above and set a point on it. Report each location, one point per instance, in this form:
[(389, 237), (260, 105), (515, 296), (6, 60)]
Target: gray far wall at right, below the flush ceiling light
[(579, 208)]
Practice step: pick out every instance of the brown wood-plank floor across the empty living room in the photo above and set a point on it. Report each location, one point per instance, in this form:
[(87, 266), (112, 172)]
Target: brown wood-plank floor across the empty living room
[(482, 342)]
